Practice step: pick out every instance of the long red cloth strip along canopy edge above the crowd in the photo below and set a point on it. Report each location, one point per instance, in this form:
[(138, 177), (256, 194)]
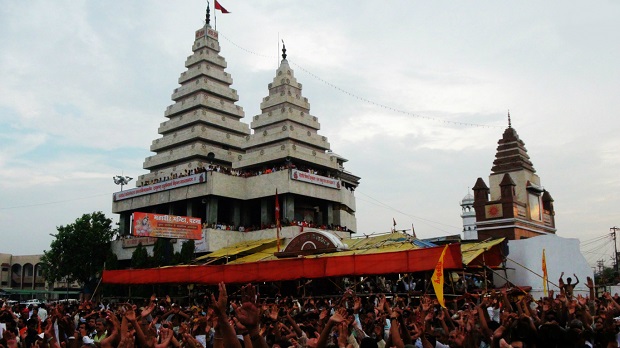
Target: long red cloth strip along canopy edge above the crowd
[(294, 268)]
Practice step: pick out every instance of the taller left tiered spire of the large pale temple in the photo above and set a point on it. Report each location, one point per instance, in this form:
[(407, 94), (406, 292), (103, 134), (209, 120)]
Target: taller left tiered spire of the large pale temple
[(204, 122)]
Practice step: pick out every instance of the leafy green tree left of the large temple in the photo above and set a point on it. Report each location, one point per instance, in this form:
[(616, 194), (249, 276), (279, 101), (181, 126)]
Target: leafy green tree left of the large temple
[(79, 250)]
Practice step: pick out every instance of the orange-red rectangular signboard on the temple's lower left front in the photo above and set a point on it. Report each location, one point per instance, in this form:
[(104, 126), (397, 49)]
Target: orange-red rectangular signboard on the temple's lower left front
[(166, 226)]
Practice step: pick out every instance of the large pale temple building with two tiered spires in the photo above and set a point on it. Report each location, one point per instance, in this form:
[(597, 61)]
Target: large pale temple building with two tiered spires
[(208, 164)]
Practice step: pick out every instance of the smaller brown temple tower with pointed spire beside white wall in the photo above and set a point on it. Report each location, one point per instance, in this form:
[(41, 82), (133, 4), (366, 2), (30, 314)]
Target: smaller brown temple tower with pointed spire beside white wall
[(518, 206)]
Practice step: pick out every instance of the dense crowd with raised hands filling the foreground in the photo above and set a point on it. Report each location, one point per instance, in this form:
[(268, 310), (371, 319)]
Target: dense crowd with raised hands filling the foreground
[(506, 317)]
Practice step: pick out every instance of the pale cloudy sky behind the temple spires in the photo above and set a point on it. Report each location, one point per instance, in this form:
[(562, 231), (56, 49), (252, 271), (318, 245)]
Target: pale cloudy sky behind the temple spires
[(84, 86)]
